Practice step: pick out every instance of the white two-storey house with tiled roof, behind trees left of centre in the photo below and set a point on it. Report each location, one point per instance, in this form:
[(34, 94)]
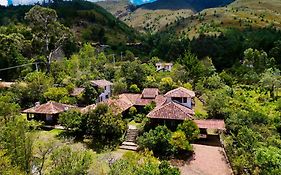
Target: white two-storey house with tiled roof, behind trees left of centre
[(106, 86)]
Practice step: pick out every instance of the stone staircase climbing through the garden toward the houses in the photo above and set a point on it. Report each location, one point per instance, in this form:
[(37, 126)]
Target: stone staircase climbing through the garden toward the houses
[(130, 142)]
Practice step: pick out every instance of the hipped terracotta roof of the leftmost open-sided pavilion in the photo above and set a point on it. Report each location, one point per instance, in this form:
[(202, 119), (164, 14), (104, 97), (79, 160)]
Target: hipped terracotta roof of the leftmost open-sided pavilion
[(49, 108)]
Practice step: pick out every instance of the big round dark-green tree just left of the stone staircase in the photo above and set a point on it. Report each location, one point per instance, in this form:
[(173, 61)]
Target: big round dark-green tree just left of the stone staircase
[(103, 126)]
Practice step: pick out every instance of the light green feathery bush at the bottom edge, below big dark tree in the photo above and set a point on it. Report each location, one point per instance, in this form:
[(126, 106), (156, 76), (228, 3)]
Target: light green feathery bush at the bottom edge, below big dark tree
[(66, 160)]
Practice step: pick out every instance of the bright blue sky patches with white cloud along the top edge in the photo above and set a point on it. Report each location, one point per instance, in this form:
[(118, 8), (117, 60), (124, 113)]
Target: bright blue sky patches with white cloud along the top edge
[(17, 2)]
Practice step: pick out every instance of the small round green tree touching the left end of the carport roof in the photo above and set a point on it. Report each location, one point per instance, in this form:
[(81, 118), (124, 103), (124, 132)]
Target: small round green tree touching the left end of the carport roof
[(190, 130)]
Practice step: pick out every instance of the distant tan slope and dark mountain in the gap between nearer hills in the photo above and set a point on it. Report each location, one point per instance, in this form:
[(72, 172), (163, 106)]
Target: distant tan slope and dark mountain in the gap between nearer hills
[(155, 16)]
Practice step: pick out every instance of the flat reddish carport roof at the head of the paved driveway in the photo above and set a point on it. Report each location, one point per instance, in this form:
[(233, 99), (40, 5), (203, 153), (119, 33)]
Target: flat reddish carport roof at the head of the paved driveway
[(210, 124)]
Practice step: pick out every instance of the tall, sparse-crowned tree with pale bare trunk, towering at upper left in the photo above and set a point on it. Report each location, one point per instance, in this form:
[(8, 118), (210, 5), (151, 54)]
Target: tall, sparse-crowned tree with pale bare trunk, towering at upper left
[(49, 34)]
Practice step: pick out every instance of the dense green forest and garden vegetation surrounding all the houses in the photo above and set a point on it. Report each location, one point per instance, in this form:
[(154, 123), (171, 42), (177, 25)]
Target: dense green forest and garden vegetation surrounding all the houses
[(49, 51)]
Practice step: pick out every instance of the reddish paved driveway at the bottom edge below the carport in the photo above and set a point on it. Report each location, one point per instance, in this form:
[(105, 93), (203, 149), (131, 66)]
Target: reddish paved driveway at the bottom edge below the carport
[(208, 160)]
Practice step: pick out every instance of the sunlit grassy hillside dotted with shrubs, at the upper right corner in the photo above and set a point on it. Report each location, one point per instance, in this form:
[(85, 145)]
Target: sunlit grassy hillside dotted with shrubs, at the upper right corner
[(239, 14)]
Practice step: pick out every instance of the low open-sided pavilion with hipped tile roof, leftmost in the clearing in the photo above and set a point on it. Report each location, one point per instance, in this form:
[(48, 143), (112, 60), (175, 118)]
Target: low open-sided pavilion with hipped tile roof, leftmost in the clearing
[(48, 112)]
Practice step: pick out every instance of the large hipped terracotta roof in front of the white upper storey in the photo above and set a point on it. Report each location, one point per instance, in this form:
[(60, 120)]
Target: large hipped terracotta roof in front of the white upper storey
[(172, 111)]
